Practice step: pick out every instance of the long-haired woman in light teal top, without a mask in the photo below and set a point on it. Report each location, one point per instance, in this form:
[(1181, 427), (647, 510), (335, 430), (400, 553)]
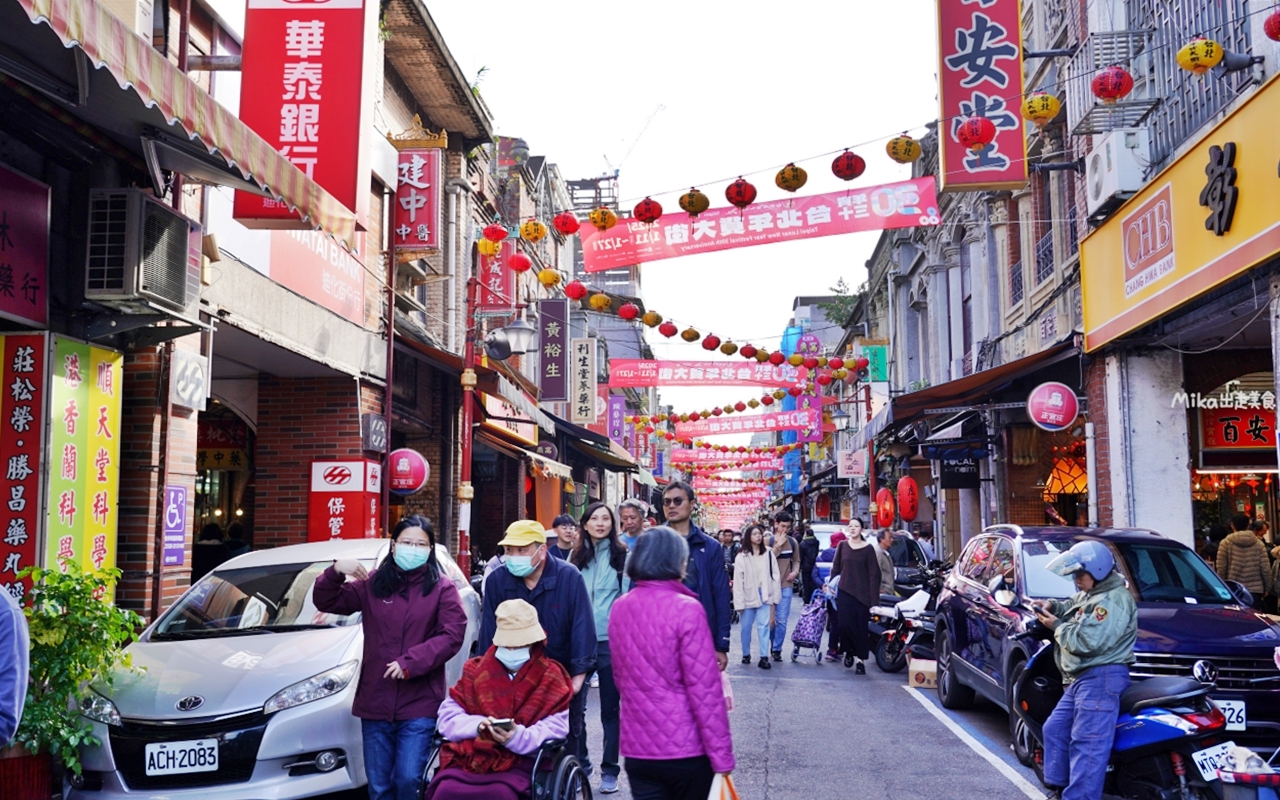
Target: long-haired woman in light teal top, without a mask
[(601, 559)]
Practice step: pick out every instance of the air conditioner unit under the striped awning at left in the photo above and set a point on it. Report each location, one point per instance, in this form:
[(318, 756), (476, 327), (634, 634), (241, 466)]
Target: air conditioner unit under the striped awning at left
[(140, 254)]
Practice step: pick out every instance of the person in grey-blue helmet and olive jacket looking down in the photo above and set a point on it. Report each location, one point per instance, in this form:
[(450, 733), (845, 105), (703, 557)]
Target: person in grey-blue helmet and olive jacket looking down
[(1095, 632)]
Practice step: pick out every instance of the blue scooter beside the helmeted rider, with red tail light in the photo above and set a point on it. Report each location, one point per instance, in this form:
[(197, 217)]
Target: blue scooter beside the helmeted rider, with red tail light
[(1171, 737)]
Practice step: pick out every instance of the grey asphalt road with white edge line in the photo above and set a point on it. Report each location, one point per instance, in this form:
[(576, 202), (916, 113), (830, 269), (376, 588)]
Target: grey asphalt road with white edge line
[(819, 732)]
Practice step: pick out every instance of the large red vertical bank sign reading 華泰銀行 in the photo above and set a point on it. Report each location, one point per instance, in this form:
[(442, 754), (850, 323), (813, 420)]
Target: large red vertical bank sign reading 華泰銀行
[(305, 93)]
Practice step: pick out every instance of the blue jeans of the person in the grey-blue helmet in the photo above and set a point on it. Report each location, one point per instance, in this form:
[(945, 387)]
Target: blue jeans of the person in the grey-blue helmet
[(1080, 734)]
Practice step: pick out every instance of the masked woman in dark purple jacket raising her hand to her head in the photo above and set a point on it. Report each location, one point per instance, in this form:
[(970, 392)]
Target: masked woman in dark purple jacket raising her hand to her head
[(414, 623)]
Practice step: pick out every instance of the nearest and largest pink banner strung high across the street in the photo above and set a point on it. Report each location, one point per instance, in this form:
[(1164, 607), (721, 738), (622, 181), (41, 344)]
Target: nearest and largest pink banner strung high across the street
[(880, 208)]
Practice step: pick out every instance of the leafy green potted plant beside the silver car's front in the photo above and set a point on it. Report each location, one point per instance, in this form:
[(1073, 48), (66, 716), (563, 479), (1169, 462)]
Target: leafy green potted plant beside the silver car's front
[(76, 638)]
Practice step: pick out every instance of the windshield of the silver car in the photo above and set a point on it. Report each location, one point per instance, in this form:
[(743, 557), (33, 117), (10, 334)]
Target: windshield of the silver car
[(252, 601)]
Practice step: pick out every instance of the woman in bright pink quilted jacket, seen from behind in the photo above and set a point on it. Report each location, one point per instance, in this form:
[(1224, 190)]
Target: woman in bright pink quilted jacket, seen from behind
[(675, 732)]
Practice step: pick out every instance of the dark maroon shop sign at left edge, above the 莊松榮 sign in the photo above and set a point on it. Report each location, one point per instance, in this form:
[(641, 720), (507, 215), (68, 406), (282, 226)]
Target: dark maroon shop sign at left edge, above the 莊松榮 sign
[(24, 249)]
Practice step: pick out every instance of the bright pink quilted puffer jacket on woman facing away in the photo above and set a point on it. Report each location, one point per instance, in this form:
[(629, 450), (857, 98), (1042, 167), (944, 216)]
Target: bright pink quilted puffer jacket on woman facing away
[(668, 675)]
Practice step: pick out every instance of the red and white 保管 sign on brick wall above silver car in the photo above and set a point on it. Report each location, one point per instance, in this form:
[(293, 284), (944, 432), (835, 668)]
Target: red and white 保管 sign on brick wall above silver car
[(344, 502)]
